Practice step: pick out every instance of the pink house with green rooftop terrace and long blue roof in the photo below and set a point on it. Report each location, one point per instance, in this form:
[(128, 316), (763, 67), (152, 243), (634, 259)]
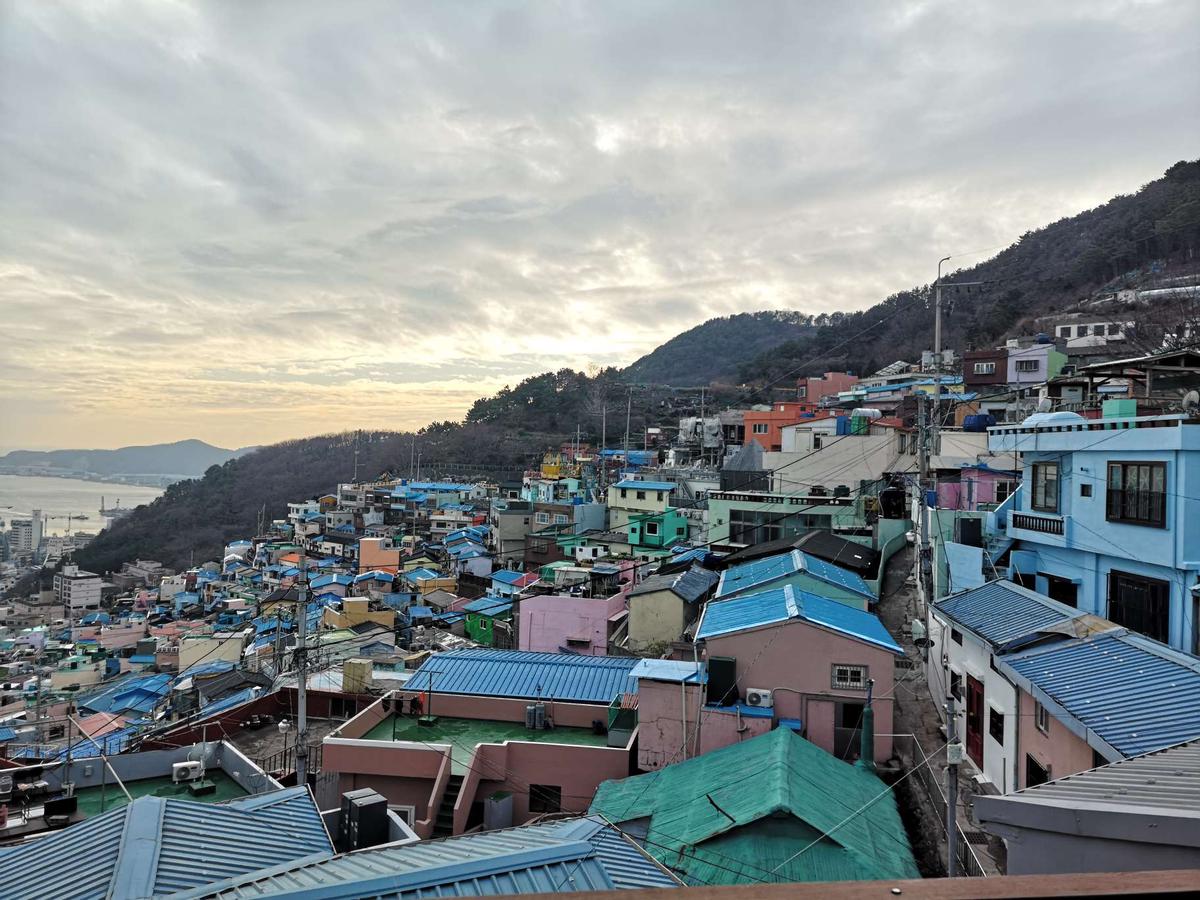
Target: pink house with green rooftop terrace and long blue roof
[(467, 757)]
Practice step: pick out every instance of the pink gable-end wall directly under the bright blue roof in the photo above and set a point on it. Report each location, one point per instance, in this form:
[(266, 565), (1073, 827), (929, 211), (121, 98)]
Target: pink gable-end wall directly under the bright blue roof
[(797, 664)]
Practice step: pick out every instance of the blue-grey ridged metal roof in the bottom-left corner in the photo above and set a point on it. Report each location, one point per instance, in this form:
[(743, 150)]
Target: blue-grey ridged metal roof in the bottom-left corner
[(159, 847)]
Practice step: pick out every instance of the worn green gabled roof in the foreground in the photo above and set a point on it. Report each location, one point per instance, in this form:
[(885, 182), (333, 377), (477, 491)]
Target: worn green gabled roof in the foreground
[(777, 795)]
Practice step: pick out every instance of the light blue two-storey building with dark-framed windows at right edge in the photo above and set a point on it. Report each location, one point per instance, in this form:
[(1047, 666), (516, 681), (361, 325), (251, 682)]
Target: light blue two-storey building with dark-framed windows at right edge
[(1108, 519)]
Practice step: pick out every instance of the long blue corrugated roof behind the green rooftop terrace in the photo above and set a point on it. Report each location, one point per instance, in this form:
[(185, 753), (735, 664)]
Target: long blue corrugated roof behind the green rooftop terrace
[(527, 675)]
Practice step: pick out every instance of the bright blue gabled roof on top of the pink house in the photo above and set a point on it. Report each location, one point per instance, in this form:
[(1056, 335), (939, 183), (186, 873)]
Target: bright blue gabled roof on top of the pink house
[(767, 608)]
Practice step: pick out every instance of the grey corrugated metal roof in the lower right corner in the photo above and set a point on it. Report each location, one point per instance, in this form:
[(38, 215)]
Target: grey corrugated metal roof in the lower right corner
[(1163, 781)]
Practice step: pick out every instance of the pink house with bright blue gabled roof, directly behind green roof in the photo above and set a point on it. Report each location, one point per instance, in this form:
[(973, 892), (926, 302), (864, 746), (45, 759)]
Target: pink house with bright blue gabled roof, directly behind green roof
[(782, 657)]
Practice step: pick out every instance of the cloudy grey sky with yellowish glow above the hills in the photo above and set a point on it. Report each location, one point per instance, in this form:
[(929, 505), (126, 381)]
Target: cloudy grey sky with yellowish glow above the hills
[(250, 221)]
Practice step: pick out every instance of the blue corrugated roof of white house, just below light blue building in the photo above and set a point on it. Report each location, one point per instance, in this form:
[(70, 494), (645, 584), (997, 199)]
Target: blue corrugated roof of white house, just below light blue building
[(1003, 611)]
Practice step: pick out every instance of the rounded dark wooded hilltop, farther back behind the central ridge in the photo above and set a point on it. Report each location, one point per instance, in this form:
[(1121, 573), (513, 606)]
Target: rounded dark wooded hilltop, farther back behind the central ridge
[(716, 350)]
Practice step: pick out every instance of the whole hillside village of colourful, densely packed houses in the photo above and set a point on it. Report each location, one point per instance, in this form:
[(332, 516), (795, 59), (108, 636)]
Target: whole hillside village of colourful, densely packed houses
[(973, 575)]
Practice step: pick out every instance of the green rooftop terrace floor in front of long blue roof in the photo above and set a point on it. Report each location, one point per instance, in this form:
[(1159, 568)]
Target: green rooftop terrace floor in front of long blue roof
[(465, 735)]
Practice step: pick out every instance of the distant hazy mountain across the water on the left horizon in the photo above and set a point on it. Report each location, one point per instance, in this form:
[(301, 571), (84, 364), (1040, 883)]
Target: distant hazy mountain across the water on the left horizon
[(184, 458)]
